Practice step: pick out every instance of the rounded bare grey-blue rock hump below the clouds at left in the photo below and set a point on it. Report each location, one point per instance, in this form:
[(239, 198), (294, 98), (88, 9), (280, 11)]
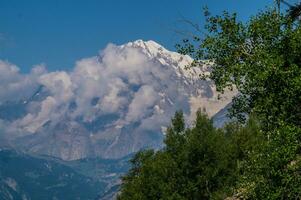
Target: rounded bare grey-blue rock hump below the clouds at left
[(66, 140)]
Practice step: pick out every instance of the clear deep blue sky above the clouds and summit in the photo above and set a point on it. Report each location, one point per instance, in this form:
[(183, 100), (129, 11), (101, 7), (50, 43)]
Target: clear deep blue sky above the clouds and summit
[(60, 32)]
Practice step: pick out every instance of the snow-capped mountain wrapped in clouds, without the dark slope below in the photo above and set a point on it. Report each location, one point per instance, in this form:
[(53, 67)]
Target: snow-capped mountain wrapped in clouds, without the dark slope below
[(109, 105)]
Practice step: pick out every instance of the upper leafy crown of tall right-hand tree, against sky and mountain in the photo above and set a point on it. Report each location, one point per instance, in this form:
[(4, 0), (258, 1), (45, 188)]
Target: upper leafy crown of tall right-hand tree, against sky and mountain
[(261, 58)]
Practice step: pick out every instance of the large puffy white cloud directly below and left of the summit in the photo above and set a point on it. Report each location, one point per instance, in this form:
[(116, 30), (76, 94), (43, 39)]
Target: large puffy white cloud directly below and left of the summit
[(119, 78)]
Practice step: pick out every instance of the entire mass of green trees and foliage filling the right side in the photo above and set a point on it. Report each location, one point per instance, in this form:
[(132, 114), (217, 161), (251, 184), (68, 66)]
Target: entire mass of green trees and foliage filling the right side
[(254, 159)]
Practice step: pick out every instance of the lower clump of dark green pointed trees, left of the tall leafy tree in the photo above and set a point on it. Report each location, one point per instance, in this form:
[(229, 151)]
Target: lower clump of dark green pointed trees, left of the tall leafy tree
[(200, 162)]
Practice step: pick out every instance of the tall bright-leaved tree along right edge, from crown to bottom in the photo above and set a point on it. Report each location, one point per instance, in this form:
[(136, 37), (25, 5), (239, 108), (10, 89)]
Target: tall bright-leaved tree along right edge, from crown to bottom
[(262, 59)]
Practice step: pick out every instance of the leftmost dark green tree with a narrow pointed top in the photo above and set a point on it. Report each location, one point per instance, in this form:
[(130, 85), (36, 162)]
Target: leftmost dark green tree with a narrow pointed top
[(157, 175)]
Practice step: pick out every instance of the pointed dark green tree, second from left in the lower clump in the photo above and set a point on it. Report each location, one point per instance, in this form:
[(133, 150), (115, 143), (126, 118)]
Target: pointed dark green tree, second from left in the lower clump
[(209, 165)]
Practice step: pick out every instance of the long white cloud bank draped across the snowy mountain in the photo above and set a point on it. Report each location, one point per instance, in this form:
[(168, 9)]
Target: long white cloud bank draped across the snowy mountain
[(122, 80)]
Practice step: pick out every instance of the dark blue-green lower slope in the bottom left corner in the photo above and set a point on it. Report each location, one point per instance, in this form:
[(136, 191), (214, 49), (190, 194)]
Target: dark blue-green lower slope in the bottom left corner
[(28, 177)]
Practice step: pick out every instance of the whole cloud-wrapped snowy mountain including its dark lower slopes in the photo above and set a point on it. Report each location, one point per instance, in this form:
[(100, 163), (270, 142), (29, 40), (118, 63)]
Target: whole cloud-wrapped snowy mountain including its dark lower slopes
[(108, 107)]
